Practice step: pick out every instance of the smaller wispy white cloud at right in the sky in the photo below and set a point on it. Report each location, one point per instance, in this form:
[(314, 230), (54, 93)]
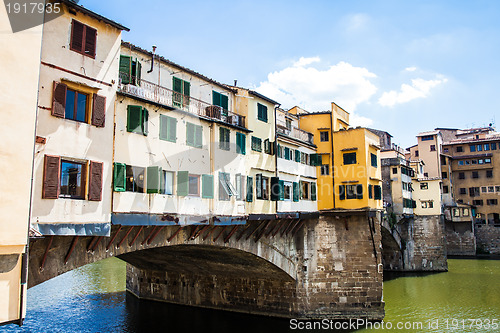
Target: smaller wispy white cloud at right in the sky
[(419, 88)]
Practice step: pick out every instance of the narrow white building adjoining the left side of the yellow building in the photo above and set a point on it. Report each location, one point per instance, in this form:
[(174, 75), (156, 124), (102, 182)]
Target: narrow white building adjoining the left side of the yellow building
[(296, 174)]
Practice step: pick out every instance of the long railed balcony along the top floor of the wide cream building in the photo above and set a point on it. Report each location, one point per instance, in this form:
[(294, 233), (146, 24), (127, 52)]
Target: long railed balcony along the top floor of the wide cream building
[(164, 96)]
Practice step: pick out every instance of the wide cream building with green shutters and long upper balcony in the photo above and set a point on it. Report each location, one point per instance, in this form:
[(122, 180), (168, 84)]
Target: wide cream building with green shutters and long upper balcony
[(180, 150)]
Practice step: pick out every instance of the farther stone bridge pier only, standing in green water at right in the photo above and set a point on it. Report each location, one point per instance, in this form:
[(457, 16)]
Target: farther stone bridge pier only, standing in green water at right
[(425, 243)]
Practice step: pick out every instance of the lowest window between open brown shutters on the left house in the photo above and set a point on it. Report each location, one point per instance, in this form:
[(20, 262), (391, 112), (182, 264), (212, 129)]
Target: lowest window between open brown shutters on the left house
[(72, 180)]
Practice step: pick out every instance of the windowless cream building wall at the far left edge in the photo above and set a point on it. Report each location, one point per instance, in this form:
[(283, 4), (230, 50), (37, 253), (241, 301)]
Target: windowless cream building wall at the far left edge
[(20, 54)]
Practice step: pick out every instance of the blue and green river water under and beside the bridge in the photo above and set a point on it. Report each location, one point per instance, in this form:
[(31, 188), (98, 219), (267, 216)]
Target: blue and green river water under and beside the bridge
[(93, 299)]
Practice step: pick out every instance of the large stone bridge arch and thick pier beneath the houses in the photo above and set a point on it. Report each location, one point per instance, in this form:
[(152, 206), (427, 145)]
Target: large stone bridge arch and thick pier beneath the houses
[(324, 267)]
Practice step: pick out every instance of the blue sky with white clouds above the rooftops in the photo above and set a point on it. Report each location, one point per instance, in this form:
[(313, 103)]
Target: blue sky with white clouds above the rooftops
[(400, 66)]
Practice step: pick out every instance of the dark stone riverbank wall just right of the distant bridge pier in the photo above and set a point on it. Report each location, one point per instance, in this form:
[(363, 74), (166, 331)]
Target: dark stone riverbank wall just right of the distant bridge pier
[(460, 239)]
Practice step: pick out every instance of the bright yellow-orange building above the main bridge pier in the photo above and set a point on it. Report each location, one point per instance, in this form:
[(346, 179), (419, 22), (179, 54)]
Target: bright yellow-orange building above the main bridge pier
[(348, 163)]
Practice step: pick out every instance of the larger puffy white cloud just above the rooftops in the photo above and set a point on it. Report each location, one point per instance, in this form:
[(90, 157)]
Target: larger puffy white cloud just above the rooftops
[(314, 89)]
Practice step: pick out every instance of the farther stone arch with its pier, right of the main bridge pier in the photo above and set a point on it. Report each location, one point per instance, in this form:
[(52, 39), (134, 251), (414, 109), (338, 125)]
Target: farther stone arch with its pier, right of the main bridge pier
[(414, 243)]
